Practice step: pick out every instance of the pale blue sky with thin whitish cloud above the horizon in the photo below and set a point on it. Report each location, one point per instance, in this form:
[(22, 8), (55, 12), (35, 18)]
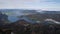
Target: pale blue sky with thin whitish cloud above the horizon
[(30, 4)]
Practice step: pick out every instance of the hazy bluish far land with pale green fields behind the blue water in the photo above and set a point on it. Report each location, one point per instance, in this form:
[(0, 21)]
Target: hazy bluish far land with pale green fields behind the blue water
[(15, 12)]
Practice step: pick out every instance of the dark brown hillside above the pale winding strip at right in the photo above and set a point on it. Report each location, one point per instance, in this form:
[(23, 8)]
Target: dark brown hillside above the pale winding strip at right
[(41, 17)]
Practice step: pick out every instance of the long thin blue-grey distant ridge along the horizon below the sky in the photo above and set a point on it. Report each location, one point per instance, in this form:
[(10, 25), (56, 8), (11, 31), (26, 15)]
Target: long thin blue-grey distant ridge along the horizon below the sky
[(23, 11)]
